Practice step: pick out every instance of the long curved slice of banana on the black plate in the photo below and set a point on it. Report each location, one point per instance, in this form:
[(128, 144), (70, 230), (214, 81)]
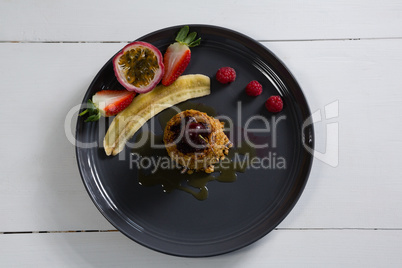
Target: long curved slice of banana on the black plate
[(145, 106)]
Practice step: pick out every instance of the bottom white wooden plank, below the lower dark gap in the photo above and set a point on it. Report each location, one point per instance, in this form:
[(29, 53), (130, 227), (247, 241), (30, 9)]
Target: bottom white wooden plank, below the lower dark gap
[(303, 248)]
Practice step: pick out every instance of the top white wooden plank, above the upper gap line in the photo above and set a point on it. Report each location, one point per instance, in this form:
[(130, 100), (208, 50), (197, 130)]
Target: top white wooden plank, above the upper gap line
[(263, 20)]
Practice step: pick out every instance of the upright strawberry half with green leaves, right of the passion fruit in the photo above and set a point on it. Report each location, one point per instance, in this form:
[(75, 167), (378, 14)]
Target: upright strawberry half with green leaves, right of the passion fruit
[(178, 55)]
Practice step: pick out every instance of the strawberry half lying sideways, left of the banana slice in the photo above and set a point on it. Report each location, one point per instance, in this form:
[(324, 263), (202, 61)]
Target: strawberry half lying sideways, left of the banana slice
[(107, 103)]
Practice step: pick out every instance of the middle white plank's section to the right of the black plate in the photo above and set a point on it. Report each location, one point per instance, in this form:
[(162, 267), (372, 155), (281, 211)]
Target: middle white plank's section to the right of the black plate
[(366, 184)]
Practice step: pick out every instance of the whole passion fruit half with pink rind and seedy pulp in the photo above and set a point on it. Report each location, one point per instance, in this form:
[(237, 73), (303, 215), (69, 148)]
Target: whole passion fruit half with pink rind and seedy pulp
[(139, 67)]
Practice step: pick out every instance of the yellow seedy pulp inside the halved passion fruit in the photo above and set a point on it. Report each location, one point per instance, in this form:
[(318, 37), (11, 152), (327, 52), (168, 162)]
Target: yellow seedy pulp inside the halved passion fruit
[(140, 65)]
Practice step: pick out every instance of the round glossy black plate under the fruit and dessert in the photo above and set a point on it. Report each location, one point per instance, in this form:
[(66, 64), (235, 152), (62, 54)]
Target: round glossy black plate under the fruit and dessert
[(235, 214)]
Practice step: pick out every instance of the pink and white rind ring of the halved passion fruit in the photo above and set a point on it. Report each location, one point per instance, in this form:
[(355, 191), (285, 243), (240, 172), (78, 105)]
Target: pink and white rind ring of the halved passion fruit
[(120, 71)]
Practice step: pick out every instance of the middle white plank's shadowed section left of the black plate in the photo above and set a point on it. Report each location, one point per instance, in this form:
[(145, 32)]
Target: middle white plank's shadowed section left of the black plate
[(41, 188)]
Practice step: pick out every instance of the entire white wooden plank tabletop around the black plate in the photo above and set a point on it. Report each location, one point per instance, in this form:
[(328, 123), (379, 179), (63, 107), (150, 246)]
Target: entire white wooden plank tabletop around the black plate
[(349, 52)]
